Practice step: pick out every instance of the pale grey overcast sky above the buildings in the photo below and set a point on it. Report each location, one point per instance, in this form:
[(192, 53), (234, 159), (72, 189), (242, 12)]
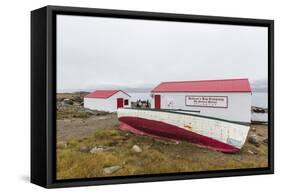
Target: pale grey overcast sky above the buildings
[(95, 52)]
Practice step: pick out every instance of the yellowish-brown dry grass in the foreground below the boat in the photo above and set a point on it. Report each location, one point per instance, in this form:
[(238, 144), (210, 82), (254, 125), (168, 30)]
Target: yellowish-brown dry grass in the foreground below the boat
[(158, 156)]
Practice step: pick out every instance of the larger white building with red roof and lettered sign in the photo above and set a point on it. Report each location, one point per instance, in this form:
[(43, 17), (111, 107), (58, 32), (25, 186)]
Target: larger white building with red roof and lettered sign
[(228, 99)]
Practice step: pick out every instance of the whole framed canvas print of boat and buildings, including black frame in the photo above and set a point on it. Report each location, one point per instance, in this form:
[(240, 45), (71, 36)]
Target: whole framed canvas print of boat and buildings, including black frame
[(125, 96)]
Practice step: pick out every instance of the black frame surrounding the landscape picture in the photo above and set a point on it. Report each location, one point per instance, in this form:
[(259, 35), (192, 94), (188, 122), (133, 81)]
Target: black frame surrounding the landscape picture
[(43, 95)]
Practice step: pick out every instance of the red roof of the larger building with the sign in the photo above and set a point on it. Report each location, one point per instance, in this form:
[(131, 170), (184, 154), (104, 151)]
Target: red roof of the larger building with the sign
[(227, 85)]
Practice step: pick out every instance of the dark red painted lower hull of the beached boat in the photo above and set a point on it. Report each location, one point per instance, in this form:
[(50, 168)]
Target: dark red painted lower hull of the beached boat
[(143, 126)]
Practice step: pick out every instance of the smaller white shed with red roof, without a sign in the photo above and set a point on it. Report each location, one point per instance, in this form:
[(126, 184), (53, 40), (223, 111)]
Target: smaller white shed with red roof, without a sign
[(107, 100)]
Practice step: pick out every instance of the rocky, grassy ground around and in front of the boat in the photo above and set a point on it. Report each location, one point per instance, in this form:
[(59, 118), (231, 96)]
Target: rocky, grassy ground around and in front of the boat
[(89, 144)]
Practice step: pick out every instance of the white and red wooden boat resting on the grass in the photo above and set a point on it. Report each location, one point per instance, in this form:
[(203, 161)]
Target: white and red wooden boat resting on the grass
[(214, 133)]
